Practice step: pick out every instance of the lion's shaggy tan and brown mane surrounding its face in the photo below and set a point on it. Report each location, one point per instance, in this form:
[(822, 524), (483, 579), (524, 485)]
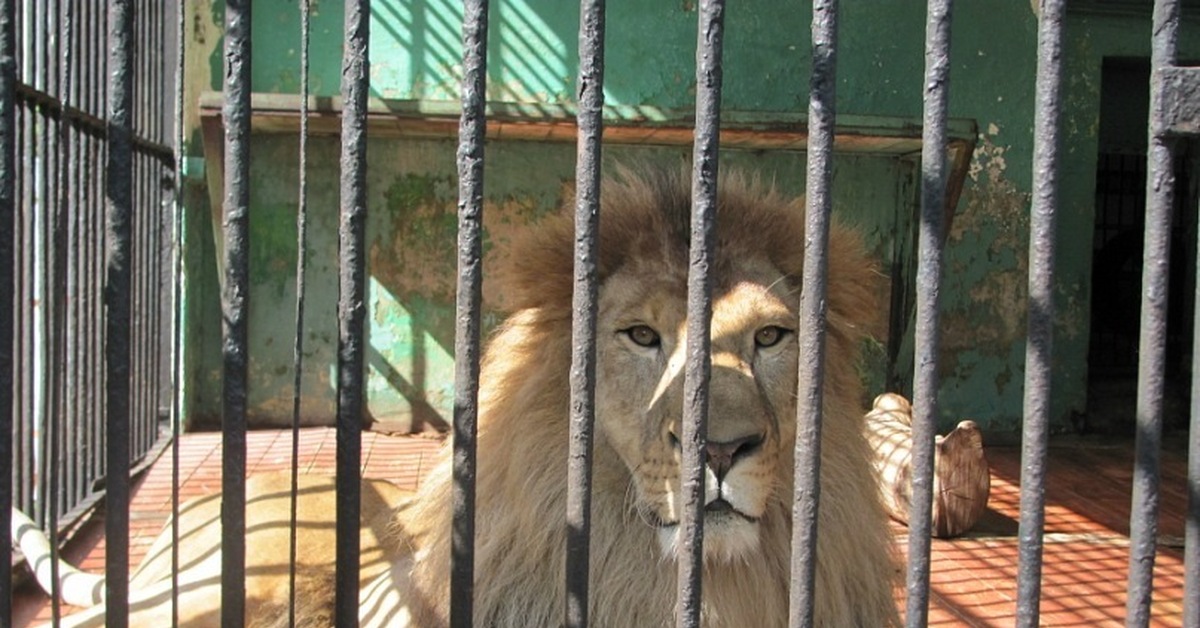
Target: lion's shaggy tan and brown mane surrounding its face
[(520, 549)]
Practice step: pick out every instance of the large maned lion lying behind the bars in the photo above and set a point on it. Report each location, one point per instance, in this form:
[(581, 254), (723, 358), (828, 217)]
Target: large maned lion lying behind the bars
[(523, 444)]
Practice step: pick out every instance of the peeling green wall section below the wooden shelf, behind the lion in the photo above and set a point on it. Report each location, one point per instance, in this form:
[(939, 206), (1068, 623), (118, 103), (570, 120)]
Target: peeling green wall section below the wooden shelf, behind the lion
[(411, 237)]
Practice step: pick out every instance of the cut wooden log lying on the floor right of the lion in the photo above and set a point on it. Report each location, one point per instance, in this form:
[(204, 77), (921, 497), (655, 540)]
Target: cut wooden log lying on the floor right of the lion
[(962, 482)]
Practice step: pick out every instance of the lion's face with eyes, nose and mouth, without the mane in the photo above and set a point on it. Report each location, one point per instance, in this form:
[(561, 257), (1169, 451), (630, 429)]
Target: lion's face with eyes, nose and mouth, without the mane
[(643, 346)]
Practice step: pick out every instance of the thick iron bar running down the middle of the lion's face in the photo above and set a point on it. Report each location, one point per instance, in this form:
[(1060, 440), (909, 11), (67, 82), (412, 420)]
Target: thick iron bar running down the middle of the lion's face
[(710, 39)]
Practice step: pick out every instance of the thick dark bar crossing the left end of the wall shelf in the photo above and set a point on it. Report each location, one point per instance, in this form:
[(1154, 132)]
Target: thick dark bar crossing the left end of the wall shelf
[(236, 306)]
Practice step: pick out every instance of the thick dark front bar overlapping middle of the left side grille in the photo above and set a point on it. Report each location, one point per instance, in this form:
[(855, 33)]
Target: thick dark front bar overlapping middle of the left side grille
[(118, 303)]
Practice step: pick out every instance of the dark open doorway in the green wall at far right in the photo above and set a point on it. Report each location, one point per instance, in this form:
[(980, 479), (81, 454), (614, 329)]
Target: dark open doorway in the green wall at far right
[(1118, 259)]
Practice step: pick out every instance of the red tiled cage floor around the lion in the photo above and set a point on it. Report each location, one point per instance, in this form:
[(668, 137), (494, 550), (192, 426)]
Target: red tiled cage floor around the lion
[(974, 579)]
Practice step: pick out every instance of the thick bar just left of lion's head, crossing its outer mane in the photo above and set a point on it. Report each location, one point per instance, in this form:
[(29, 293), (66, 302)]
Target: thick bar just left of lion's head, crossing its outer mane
[(469, 304)]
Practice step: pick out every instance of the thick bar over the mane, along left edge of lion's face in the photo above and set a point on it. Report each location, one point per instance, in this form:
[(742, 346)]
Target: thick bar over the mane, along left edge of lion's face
[(590, 95)]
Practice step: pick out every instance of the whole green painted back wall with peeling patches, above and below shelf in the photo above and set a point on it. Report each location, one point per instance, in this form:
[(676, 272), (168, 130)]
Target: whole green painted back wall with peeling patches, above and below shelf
[(415, 50)]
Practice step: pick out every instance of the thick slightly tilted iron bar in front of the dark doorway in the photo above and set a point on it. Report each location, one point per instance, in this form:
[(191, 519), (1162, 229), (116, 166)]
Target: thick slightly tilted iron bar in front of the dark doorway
[(1153, 339)]
